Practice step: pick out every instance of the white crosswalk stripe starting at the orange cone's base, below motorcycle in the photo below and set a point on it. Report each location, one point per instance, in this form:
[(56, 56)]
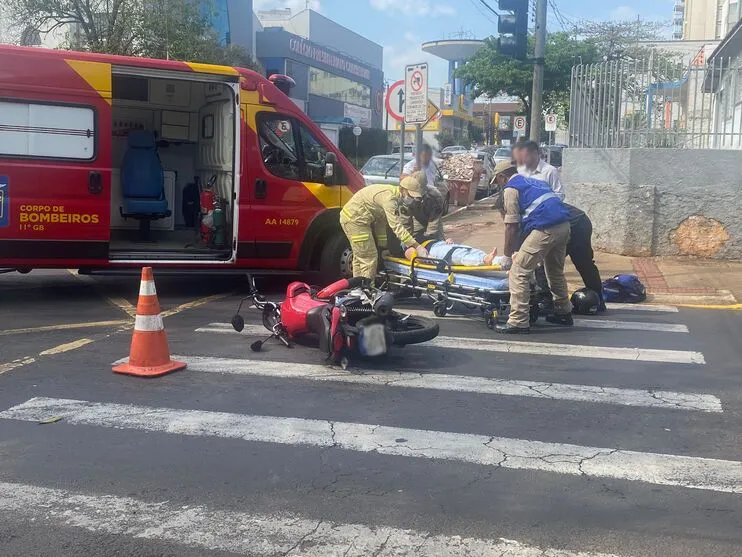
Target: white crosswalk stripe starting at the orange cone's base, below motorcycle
[(458, 383)]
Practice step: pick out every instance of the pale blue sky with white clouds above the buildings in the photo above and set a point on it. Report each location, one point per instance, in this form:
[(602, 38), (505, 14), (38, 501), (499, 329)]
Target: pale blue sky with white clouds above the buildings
[(400, 26)]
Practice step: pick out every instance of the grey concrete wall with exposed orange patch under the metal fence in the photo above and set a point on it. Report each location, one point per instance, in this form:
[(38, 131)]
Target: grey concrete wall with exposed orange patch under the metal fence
[(659, 201)]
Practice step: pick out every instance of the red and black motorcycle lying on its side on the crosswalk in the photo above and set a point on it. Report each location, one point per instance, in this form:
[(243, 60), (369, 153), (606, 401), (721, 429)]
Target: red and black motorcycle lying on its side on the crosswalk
[(349, 318)]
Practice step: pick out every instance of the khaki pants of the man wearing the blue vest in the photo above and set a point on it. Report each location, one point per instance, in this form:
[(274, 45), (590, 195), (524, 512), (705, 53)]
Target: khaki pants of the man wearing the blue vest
[(549, 246)]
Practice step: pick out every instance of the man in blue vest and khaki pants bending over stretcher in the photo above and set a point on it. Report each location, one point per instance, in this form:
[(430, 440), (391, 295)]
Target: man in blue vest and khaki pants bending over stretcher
[(534, 213)]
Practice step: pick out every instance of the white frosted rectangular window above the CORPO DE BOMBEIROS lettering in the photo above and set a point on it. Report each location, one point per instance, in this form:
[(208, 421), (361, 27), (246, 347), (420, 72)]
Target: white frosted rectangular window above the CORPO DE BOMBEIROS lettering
[(47, 131)]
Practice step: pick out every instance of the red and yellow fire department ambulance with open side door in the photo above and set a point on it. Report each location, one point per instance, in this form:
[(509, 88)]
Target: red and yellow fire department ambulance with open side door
[(110, 162)]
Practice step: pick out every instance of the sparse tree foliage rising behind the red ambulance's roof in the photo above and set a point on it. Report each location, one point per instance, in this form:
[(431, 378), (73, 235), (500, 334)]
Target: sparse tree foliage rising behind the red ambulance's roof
[(175, 29)]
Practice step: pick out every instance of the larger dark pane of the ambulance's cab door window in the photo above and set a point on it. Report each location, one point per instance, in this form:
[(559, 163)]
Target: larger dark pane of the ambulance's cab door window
[(278, 146)]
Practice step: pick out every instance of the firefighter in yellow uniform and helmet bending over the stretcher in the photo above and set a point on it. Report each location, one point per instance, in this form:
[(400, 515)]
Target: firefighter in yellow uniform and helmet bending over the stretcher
[(364, 219)]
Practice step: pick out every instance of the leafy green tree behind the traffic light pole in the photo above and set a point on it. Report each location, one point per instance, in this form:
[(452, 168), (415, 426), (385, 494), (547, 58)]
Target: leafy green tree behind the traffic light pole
[(493, 74)]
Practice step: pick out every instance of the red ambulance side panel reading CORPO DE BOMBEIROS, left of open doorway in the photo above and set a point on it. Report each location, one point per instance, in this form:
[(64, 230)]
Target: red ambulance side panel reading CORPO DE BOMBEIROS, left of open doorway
[(55, 161)]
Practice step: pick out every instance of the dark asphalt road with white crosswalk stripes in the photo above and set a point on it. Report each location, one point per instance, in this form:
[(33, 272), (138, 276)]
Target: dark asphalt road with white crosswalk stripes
[(619, 437)]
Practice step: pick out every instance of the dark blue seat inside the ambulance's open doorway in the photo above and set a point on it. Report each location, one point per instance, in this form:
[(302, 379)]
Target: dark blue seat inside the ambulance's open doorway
[(142, 181)]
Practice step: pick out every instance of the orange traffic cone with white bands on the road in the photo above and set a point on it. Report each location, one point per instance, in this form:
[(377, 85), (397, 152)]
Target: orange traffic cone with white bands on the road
[(150, 355)]
